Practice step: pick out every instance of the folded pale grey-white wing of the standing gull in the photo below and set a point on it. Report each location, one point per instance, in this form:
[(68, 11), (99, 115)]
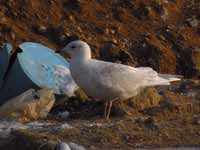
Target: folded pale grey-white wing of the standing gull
[(124, 77)]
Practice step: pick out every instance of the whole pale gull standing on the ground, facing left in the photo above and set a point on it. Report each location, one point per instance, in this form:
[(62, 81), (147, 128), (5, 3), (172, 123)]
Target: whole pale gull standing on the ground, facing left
[(109, 81)]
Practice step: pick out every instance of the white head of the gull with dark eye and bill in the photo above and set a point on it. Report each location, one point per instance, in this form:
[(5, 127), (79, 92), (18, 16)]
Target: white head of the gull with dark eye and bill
[(78, 49)]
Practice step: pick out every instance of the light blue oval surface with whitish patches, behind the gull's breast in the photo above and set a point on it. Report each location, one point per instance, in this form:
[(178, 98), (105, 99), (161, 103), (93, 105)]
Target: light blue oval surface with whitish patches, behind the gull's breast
[(46, 68)]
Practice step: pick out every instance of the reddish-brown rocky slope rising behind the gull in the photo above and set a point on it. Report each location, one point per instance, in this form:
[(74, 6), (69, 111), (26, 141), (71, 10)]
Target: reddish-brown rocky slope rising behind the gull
[(163, 34)]
